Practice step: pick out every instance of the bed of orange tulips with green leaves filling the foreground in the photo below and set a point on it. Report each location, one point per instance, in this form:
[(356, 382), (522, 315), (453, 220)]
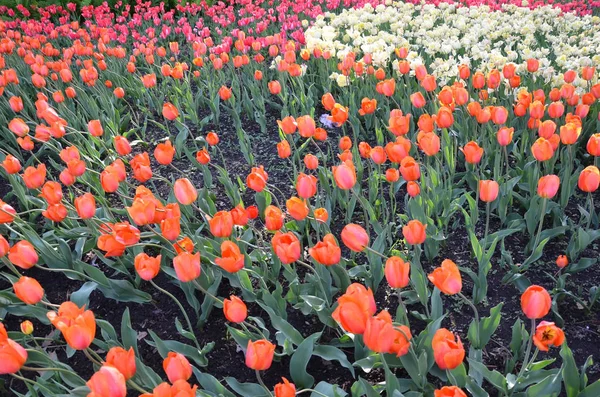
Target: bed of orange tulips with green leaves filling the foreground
[(416, 156)]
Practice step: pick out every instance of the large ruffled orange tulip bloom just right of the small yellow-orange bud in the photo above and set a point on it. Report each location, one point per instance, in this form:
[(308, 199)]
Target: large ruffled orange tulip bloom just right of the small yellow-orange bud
[(77, 325)]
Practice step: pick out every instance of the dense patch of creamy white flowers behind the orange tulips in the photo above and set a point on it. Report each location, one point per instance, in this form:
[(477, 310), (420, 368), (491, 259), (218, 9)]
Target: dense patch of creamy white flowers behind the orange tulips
[(445, 36)]
